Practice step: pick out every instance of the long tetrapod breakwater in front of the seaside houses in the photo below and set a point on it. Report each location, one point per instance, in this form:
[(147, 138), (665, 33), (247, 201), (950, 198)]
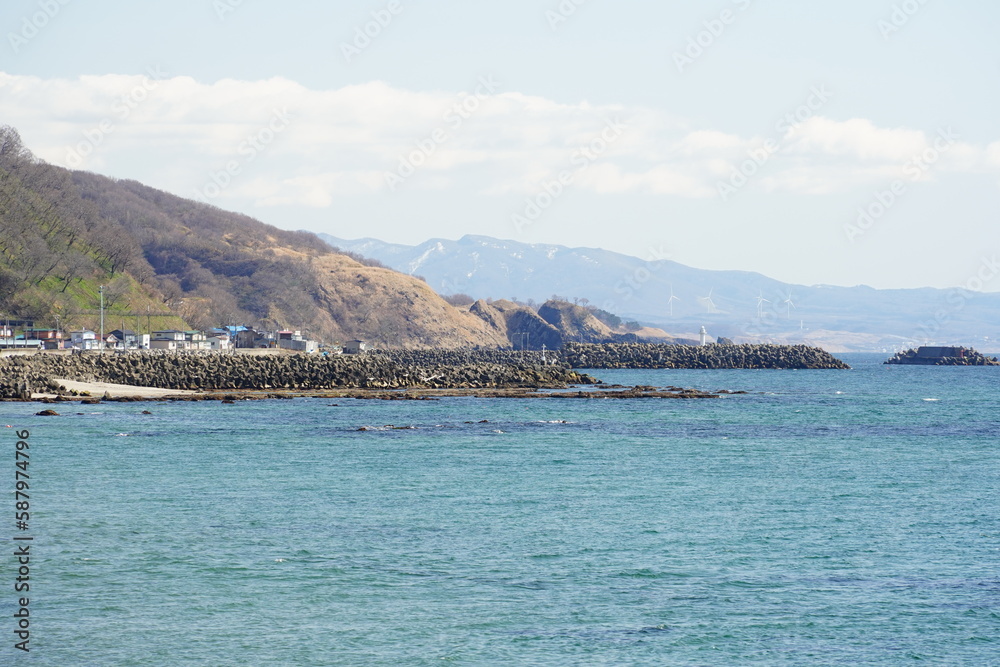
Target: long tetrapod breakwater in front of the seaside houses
[(21, 375)]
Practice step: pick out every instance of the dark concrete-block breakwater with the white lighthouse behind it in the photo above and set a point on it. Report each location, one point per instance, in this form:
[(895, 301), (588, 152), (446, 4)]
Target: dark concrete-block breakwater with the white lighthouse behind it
[(645, 355)]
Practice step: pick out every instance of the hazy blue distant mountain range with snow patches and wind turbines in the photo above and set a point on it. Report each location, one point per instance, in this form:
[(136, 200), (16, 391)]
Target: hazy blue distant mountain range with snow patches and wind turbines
[(737, 304)]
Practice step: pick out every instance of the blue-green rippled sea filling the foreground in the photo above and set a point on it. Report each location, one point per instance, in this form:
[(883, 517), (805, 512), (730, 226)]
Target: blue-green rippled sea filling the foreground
[(823, 518)]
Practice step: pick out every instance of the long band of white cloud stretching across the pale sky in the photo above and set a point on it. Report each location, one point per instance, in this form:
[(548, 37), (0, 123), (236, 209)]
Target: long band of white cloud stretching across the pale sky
[(180, 134)]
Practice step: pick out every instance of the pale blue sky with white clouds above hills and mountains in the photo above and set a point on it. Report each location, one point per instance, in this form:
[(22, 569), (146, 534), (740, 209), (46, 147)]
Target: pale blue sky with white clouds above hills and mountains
[(841, 143)]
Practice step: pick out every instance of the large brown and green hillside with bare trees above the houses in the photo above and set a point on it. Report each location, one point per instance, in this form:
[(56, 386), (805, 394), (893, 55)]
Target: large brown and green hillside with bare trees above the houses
[(170, 262)]
